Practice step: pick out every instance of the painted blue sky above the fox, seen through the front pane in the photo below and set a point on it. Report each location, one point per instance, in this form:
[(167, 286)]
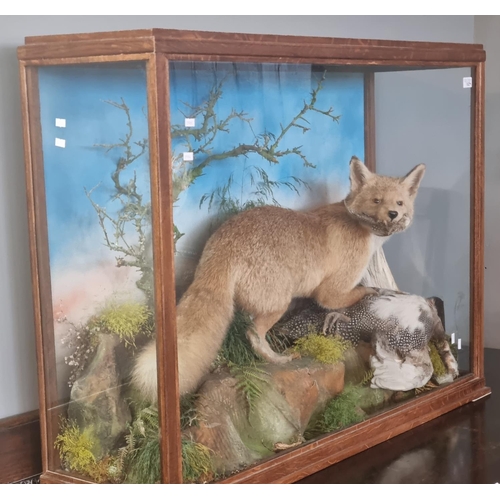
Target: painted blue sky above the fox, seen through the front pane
[(271, 95)]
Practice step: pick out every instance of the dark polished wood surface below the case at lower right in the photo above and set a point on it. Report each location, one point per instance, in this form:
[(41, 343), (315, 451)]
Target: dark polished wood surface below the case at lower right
[(462, 446)]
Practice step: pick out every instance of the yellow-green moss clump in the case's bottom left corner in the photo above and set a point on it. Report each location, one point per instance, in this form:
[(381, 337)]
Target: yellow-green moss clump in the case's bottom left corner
[(75, 447)]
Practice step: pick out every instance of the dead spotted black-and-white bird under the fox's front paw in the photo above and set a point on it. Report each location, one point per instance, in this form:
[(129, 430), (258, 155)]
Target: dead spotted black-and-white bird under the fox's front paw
[(398, 325)]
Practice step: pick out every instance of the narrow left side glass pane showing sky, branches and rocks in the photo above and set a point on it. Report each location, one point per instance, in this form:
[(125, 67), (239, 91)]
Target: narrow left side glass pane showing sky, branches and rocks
[(96, 163)]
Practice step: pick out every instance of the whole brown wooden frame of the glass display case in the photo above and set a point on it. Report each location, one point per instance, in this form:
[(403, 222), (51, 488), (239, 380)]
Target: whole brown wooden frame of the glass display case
[(158, 47)]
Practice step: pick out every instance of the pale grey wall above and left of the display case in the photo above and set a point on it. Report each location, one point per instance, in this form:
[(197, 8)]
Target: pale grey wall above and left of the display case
[(18, 383)]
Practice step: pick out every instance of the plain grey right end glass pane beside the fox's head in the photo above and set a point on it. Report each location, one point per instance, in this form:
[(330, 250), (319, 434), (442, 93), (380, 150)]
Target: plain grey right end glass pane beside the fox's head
[(424, 117)]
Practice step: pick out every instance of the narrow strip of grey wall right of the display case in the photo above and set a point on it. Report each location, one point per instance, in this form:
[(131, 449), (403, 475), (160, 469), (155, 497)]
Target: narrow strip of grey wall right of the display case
[(487, 32)]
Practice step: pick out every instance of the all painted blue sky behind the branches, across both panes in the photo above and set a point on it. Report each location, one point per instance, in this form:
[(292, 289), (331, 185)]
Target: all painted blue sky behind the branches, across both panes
[(270, 95)]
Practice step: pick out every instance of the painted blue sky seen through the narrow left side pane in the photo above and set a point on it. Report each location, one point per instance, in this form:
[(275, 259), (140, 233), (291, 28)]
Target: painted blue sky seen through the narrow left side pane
[(77, 94)]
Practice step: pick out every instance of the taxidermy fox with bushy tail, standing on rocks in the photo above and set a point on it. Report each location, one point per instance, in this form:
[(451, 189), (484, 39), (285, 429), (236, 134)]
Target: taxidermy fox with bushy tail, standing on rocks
[(260, 259)]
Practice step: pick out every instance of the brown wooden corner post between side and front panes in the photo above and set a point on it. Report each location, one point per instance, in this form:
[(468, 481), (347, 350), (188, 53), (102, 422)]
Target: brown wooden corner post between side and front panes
[(163, 230)]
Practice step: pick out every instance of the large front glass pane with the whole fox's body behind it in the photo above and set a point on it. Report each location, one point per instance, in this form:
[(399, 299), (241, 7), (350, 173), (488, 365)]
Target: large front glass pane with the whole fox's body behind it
[(278, 345)]
